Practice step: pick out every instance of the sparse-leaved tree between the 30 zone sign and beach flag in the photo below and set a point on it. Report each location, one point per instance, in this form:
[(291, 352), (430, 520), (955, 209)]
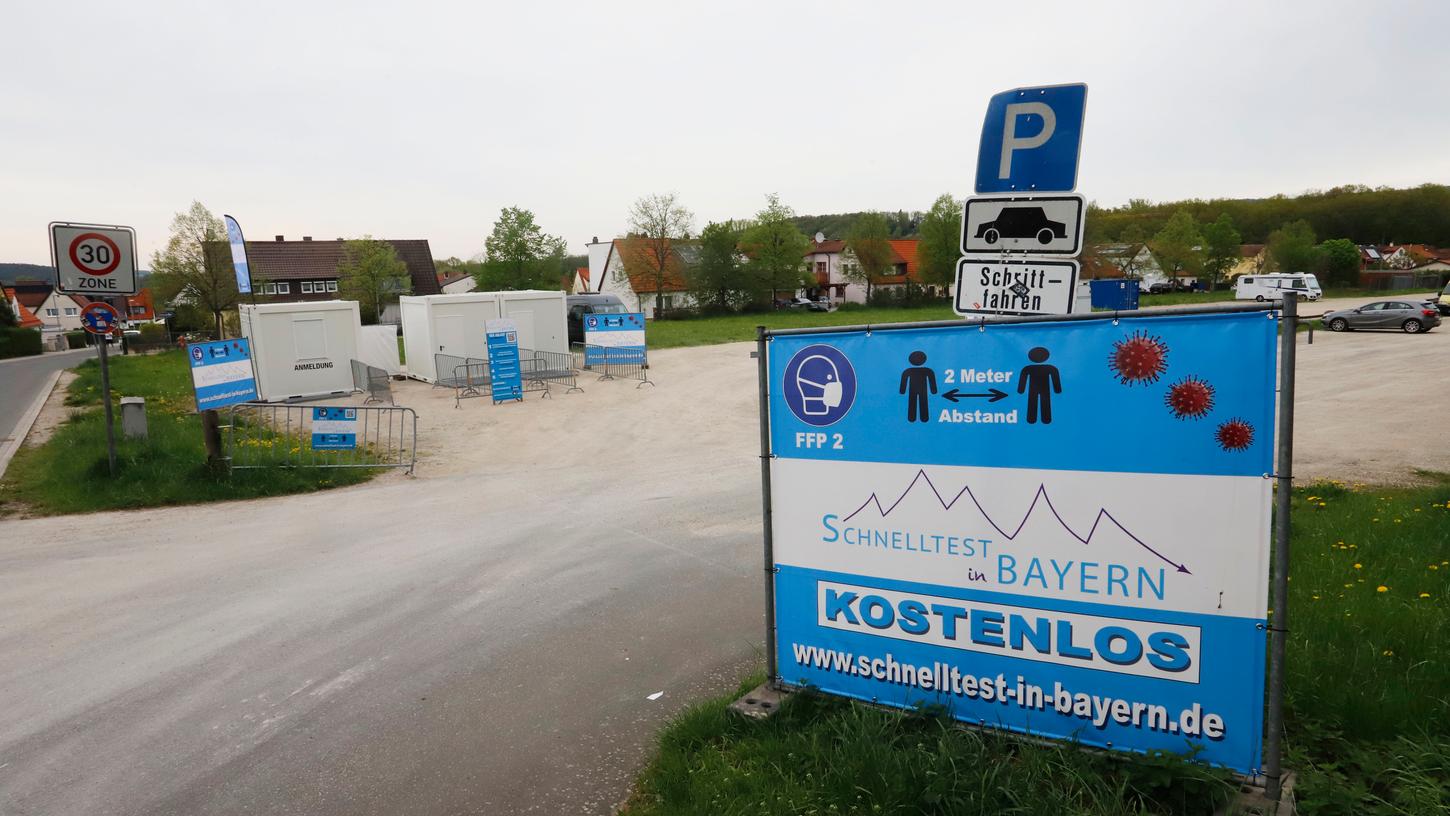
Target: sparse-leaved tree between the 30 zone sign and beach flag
[(196, 265)]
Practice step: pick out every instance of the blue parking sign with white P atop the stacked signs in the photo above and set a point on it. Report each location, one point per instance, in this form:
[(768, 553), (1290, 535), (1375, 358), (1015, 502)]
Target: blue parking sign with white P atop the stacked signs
[(1032, 140)]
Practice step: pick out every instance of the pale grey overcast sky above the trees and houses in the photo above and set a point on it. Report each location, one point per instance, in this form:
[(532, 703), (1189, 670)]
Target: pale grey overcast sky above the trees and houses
[(423, 120)]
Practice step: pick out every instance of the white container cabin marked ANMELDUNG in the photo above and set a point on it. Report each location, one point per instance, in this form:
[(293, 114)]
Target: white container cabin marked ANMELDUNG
[(302, 350)]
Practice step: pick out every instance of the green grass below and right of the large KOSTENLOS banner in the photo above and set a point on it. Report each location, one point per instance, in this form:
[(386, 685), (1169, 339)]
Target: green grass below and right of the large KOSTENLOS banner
[(1368, 708)]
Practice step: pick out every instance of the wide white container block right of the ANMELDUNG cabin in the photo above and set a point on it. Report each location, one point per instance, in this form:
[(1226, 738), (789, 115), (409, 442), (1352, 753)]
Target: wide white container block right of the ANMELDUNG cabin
[(453, 325)]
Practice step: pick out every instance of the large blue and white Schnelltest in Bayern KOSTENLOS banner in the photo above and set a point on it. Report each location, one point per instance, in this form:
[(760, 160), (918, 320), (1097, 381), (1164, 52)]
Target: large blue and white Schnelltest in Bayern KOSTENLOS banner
[(1053, 528)]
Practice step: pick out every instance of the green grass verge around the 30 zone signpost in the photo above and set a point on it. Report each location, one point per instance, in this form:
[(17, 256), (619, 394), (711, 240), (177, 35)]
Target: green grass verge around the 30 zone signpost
[(69, 473)]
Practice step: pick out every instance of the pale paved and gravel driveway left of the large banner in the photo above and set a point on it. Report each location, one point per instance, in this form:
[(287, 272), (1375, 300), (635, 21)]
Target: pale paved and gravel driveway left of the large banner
[(479, 640)]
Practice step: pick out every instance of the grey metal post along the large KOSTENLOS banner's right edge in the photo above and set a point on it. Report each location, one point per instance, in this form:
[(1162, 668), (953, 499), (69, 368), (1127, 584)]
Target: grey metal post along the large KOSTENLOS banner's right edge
[(1280, 625)]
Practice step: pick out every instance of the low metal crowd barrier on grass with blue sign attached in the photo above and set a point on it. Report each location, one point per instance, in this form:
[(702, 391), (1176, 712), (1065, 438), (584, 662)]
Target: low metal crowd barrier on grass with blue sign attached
[(265, 436)]
